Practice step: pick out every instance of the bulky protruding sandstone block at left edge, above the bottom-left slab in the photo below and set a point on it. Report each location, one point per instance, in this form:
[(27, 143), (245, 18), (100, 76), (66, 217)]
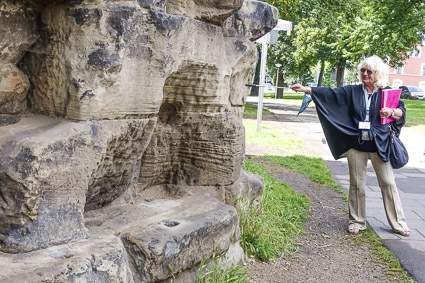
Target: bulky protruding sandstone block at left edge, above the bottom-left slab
[(52, 170)]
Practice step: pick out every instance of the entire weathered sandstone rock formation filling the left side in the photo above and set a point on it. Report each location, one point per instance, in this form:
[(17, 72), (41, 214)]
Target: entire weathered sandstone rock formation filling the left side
[(142, 135)]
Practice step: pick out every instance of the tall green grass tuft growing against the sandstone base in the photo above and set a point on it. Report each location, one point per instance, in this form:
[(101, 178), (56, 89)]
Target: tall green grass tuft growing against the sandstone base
[(268, 230)]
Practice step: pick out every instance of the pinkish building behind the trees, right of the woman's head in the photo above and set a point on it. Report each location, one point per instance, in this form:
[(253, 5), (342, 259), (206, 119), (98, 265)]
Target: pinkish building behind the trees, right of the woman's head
[(412, 73)]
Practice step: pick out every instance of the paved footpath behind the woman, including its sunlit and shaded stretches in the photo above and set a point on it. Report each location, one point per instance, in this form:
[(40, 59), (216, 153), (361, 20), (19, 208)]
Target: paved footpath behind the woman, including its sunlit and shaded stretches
[(410, 182)]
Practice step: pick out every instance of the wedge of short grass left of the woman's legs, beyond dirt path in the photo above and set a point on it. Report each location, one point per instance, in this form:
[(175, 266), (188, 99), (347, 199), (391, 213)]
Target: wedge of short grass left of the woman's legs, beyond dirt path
[(314, 168)]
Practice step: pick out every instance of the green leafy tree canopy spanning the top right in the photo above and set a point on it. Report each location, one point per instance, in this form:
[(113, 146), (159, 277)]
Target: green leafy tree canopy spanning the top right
[(342, 32)]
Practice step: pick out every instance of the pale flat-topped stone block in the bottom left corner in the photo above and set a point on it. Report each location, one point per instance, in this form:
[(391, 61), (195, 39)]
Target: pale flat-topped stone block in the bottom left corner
[(101, 258)]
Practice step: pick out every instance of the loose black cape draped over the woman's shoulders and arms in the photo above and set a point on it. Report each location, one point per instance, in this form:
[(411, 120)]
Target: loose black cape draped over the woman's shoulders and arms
[(341, 109)]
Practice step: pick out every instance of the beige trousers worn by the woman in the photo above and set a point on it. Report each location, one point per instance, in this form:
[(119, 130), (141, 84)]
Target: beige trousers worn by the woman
[(357, 164)]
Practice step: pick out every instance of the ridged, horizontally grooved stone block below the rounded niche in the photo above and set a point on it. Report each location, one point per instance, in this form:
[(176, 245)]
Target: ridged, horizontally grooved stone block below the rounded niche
[(193, 149)]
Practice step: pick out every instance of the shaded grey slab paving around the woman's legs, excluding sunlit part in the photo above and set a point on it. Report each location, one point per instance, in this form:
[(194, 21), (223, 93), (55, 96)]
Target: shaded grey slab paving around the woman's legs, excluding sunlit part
[(411, 184)]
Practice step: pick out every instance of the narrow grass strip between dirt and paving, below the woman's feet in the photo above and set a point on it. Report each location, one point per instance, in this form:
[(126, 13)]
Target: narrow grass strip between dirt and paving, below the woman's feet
[(382, 255)]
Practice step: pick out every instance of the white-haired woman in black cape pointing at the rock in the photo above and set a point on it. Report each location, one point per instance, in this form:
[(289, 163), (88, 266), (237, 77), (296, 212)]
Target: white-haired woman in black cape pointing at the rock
[(351, 120)]
